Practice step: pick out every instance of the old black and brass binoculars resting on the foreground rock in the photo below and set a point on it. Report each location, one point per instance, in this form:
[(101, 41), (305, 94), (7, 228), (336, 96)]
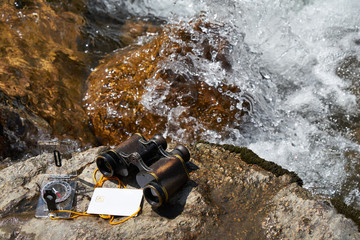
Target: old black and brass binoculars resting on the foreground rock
[(160, 173)]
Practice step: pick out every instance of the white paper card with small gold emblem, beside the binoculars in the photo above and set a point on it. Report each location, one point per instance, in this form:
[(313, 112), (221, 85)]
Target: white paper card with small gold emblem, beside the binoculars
[(115, 201)]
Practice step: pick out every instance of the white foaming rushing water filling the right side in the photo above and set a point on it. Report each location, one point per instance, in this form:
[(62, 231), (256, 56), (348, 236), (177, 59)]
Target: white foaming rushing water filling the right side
[(285, 55)]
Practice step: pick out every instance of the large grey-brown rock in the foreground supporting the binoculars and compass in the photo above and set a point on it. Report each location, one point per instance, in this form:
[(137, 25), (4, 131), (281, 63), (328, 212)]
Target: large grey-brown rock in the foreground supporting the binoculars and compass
[(225, 198)]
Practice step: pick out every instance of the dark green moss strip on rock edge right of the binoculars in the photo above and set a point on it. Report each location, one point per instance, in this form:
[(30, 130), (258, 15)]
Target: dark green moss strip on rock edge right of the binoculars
[(250, 157)]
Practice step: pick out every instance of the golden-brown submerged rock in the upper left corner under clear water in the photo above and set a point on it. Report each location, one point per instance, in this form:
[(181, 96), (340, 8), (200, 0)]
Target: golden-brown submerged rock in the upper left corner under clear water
[(41, 70)]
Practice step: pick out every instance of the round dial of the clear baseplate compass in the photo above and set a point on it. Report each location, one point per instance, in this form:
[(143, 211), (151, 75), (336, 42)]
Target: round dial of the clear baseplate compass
[(60, 188)]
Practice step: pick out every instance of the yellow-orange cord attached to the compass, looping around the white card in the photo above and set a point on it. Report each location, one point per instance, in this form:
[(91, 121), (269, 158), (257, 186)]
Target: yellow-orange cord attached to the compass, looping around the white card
[(98, 184)]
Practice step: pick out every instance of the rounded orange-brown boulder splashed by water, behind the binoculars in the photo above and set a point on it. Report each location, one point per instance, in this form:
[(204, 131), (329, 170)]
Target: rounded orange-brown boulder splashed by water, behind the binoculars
[(137, 89)]
